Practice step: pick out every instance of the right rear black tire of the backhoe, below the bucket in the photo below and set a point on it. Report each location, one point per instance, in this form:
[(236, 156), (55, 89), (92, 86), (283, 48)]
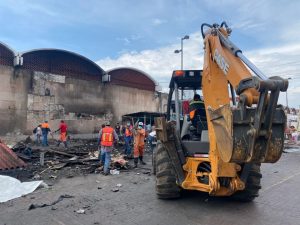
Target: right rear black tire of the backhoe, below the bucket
[(252, 185)]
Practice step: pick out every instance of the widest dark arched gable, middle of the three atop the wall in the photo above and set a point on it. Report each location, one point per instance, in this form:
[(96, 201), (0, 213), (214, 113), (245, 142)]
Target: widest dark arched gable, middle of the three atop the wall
[(59, 61)]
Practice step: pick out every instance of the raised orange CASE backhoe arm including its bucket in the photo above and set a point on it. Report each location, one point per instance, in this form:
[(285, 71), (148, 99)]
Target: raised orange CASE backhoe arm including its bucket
[(244, 134)]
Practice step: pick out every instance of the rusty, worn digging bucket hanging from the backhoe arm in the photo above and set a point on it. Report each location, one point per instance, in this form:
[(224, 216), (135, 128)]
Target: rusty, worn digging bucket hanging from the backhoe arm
[(237, 139)]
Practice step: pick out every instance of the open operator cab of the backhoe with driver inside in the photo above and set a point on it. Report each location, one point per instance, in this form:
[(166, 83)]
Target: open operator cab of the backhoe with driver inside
[(188, 111)]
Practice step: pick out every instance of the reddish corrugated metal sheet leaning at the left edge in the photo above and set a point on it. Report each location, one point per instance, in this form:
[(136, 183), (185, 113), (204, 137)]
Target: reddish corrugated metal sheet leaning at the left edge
[(8, 159)]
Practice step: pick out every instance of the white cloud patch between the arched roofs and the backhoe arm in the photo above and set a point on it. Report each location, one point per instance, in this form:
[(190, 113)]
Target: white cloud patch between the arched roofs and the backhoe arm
[(160, 63)]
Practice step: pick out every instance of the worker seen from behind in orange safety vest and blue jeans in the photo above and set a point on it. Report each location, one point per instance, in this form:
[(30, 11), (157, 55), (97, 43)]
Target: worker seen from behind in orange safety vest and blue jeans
[(107, 137)]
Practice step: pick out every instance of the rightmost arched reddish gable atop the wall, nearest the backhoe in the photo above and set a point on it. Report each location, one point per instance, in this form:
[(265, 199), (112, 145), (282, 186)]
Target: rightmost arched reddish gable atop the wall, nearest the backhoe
[(132, 77)]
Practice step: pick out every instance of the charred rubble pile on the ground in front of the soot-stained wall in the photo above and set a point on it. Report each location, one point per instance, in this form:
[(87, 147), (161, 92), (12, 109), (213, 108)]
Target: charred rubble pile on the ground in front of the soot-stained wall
[(51, 163)]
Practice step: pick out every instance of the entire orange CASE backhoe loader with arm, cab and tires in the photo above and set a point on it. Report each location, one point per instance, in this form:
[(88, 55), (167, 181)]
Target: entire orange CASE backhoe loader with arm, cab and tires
[(218, 148)]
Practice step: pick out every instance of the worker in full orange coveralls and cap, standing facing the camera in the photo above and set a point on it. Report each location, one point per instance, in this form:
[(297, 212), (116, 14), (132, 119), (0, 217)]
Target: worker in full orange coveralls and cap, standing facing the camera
[(139, 144)]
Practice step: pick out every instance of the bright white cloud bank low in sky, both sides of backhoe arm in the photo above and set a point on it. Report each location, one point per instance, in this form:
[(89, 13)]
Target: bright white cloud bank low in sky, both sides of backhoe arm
[(159, 63)]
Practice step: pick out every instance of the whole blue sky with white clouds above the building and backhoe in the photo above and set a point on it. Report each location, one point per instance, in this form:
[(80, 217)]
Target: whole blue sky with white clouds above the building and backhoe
[(144, 34)]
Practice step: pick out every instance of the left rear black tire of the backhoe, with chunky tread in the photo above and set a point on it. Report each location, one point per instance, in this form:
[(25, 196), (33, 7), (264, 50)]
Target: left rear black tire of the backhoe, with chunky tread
[(166, 186)]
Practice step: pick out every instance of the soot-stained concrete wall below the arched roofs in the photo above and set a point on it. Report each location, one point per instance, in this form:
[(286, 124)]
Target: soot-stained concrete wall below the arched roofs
[(23, 103)]
